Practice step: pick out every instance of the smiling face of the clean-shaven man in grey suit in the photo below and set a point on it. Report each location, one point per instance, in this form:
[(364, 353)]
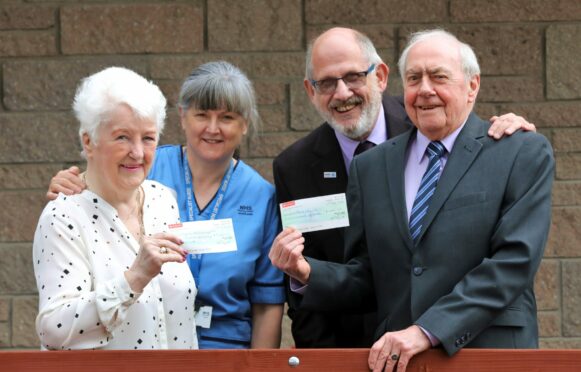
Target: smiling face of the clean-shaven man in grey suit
[(438, 97)]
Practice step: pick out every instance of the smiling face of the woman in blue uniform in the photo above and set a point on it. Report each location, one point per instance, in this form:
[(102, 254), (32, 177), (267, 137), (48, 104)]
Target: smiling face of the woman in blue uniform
[(212, 135)]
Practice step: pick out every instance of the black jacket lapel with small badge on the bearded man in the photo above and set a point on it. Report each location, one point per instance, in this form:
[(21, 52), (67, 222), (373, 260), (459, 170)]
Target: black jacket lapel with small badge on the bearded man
[(328, 167)]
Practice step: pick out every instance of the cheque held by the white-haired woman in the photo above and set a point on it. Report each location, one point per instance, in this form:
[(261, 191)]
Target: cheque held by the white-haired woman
[(211, 236)]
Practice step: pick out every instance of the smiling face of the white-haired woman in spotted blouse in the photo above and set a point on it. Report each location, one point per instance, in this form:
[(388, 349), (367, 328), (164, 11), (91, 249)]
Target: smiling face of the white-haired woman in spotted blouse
[(122, 154)]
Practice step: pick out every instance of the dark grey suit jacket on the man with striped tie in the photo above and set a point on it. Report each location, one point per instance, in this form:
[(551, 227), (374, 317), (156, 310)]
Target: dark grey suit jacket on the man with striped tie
[(469, 280)]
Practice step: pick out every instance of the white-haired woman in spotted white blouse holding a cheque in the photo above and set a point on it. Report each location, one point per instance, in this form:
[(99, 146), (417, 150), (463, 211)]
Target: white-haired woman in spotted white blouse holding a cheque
[(109, 276)]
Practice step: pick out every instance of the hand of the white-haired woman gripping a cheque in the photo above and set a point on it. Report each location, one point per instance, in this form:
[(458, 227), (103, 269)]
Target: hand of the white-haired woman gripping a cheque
[(155, 250)]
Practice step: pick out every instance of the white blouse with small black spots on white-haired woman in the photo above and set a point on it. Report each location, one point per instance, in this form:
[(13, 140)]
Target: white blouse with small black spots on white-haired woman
[(81, 250)]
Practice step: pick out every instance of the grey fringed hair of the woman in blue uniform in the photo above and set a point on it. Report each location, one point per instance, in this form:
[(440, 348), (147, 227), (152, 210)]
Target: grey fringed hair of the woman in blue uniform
[(220, 85)]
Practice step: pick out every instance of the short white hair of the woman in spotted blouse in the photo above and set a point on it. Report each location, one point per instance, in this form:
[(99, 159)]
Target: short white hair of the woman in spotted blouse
[(100, 94)]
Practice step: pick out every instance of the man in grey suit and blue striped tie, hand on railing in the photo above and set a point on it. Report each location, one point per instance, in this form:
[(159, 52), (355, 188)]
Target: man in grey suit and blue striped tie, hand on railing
[(447, 245)]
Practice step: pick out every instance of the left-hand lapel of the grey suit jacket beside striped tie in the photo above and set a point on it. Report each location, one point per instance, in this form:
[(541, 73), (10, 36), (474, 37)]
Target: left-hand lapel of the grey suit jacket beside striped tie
[(395, 162)]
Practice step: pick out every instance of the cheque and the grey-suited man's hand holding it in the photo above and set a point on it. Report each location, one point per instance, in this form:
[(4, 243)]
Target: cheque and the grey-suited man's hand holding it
[(305, 215)]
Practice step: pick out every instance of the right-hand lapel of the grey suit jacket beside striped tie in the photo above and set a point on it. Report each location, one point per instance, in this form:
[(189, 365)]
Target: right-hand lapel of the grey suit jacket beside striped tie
[(465, 151)]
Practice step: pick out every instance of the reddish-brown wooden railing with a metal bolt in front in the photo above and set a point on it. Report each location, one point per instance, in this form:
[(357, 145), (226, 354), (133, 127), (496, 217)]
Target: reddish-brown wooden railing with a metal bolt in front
[(472, 360)]
